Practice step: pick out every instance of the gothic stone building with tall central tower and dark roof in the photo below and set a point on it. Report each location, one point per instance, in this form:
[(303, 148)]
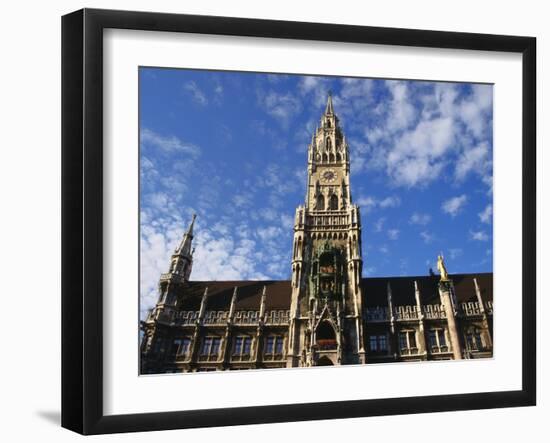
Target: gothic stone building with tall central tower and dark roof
[(327, 314)]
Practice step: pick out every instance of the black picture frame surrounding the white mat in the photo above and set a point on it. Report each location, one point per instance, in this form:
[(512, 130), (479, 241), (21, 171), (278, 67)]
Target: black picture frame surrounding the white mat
[(82, 215)]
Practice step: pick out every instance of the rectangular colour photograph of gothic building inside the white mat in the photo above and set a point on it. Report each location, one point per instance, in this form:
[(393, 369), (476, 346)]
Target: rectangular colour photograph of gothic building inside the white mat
[(294, 221)]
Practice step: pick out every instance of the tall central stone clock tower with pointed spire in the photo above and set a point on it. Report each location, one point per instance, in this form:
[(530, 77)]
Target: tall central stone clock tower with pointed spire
[(326, 325)]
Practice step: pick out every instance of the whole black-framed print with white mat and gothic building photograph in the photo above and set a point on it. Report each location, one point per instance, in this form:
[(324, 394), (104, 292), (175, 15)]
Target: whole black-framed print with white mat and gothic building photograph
[(273, 221)]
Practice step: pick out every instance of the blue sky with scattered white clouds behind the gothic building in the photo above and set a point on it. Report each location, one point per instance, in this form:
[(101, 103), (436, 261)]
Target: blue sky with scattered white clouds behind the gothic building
[(232, 147)]
